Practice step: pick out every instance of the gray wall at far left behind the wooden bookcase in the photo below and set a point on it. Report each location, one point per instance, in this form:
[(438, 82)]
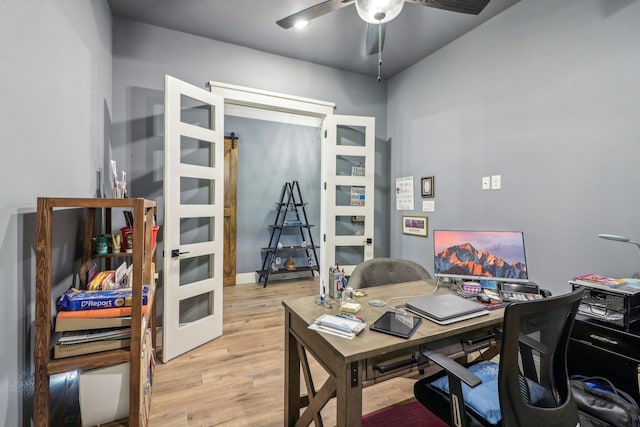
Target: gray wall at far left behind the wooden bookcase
[(55, 102)]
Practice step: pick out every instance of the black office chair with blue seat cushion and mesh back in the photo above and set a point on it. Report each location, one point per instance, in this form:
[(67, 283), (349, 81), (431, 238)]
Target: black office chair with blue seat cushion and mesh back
[(530, 384)]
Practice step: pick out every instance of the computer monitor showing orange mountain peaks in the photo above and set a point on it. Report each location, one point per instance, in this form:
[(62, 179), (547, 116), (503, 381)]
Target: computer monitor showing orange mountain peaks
[(480, 255)]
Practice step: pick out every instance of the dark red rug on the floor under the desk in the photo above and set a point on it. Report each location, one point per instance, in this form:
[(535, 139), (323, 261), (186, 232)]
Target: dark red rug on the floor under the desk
[(411, 414)]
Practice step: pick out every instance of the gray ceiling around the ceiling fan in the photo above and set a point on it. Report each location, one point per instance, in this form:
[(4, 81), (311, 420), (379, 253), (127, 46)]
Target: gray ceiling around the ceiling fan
[(335, 40)]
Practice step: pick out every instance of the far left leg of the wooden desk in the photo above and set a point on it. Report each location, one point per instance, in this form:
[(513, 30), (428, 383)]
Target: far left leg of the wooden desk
[(291, 375)]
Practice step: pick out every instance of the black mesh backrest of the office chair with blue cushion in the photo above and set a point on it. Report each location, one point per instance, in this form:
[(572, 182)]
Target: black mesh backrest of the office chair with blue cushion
[(533, 382)]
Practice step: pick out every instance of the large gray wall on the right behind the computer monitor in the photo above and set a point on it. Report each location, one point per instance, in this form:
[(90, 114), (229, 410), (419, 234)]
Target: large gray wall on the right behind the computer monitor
[(546, 95)]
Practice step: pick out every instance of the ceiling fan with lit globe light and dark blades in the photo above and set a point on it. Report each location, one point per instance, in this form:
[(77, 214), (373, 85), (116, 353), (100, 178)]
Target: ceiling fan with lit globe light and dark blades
[(376, 13)]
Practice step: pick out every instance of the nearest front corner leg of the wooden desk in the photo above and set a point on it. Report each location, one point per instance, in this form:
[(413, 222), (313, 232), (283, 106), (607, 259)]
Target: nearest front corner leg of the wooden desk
[(349, 395)]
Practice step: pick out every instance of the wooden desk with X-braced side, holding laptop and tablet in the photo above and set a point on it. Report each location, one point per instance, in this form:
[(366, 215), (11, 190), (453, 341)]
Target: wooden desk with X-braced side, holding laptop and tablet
[(368, 358)]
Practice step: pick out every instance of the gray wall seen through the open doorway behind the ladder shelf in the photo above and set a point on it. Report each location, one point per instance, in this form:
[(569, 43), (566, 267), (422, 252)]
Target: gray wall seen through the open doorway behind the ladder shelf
[(270, 154)]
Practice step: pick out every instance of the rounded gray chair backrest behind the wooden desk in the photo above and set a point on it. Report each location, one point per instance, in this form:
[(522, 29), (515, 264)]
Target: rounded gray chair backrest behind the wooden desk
[(384, 271)]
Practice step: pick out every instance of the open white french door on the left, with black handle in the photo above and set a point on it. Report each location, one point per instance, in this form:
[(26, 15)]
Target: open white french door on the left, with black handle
[(193, 217)]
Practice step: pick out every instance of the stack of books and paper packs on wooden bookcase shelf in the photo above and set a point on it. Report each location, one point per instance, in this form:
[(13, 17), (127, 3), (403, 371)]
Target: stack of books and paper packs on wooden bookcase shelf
[(93, 321)]
